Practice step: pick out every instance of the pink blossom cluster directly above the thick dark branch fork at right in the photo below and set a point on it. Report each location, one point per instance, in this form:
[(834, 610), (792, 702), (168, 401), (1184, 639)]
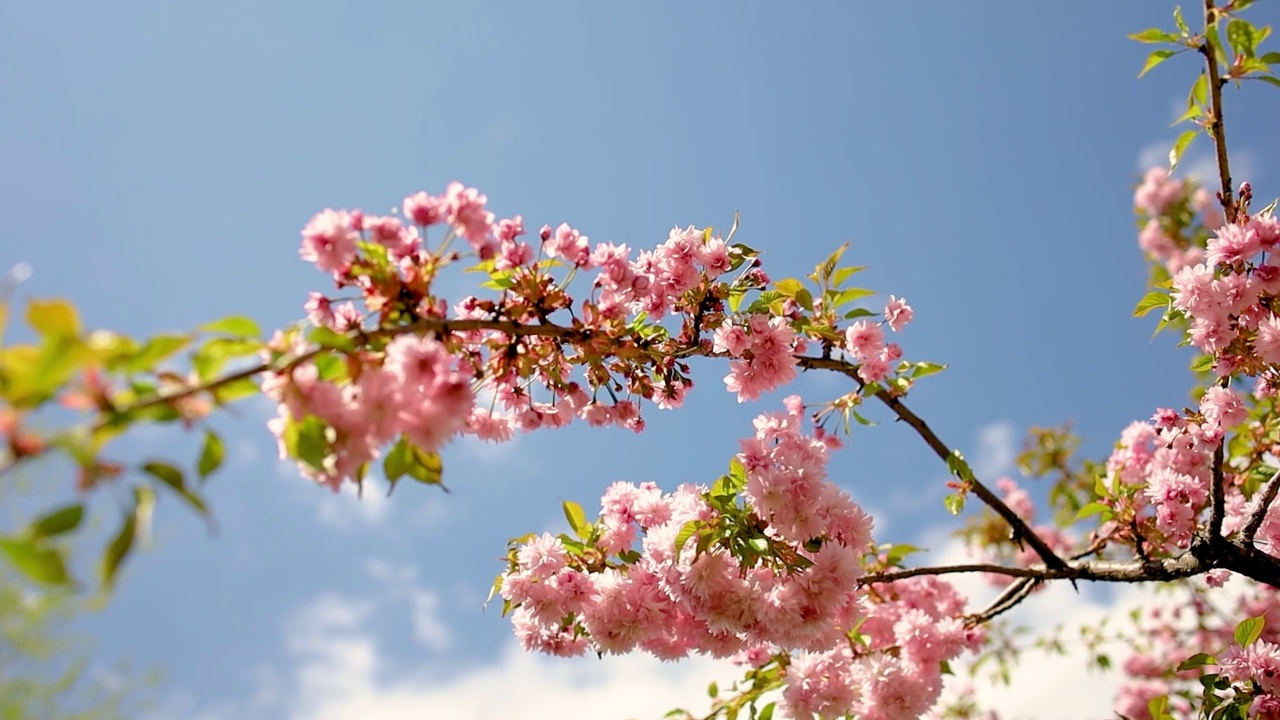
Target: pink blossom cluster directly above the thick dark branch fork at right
[(1165, 466)]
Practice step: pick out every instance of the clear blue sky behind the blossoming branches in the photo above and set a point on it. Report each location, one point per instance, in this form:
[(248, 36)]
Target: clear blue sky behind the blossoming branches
[(161, 160)]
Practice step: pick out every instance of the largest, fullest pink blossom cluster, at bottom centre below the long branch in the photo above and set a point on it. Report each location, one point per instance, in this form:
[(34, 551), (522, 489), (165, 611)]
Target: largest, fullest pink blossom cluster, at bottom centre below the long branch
[(674, 601)]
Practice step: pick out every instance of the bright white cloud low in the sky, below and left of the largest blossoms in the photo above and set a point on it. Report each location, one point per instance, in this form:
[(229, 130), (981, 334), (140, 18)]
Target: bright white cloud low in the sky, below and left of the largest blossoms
[(340, 673)]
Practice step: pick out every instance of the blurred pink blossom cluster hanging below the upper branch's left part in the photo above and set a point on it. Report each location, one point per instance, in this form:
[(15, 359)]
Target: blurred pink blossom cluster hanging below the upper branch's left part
[(414, 389)]
